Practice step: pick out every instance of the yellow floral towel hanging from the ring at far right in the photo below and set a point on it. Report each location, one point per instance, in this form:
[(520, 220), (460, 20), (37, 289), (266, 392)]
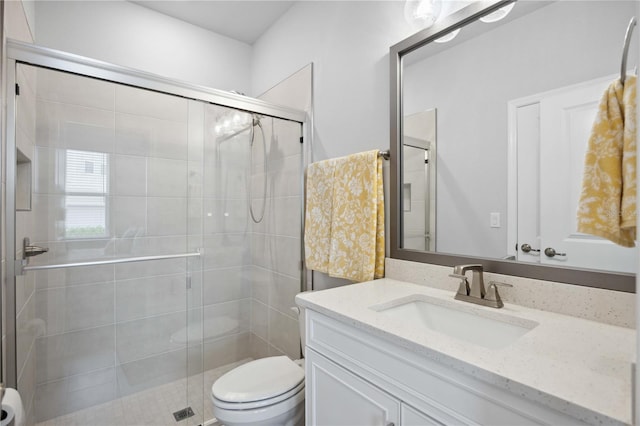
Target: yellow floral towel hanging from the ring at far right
[(607, 205)]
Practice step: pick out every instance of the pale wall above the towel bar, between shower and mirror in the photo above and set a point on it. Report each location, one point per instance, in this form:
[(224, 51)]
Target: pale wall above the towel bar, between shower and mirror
[(348, 43)]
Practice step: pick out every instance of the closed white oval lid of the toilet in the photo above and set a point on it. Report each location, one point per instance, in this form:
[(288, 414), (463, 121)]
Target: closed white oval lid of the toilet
[(257, 380)]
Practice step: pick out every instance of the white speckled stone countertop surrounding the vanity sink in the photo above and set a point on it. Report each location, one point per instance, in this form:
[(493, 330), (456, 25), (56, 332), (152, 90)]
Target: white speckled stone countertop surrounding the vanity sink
[(575, 366)]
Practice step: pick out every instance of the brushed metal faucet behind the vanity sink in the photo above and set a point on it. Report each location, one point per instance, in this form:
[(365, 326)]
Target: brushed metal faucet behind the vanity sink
[(476, 293)]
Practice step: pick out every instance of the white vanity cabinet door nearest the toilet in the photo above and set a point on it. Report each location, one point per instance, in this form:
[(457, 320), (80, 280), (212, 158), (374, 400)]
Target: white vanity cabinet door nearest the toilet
[(337, 397)]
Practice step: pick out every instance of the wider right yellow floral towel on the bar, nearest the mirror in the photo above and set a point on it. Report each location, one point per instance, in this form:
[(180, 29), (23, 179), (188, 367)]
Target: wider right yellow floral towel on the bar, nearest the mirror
[(357, 228)]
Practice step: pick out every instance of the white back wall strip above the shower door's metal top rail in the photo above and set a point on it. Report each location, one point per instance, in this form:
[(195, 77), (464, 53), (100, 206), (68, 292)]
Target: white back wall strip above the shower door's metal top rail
[(133, 36)]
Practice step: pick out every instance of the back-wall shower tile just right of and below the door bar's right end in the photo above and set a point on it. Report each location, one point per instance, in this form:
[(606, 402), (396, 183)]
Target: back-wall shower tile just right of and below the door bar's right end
[(223, 285)]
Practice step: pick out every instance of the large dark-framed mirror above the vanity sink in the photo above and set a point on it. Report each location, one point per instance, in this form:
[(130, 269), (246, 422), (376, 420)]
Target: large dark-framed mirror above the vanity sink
[(490, 120)]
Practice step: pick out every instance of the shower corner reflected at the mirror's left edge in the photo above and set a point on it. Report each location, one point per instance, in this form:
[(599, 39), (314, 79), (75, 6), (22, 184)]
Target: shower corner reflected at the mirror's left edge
[(419, 180)]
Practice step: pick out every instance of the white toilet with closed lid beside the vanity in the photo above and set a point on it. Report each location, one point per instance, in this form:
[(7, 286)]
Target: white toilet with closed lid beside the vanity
[(267, 391)]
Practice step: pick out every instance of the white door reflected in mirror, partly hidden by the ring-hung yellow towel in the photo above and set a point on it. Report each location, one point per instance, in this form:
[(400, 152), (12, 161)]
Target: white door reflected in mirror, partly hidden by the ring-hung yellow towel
[(566, 119)]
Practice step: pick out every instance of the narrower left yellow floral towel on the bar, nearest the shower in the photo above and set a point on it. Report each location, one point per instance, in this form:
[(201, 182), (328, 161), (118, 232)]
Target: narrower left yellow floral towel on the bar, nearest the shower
[(318, 212)]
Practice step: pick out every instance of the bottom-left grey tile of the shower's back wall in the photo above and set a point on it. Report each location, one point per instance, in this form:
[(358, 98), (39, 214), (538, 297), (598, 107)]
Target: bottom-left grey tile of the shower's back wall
[(74, 393)]
